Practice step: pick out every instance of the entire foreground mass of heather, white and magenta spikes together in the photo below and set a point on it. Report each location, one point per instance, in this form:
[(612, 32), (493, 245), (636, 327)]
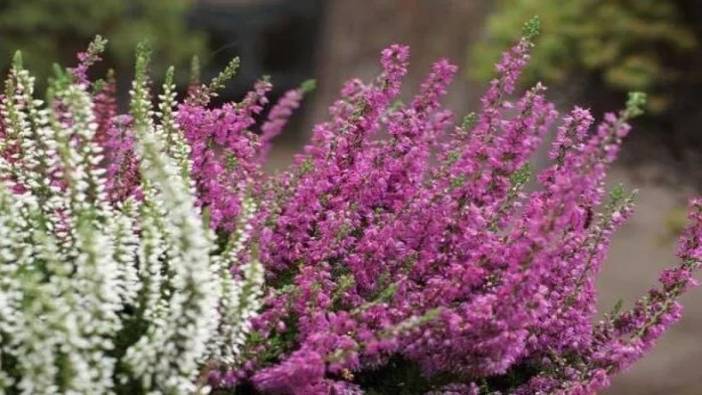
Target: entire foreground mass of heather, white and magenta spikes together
[(402, 253)]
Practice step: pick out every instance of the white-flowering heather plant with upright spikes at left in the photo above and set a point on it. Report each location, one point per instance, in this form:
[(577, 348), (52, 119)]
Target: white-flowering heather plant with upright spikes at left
[(97, 295)]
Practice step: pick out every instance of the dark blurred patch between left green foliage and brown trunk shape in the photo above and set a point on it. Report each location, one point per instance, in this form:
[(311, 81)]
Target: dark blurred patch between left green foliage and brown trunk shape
[(275, 37)]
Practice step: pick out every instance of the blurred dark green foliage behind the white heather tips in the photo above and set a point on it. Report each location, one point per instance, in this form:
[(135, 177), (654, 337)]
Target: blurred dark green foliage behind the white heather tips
[(53, 30)]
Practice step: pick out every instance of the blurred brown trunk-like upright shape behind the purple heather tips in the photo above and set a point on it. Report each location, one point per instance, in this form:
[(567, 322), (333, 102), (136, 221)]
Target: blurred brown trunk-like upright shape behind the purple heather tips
[(354, 33)]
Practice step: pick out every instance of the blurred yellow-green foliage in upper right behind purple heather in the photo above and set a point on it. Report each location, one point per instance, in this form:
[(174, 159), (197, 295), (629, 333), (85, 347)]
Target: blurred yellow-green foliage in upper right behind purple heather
[(625, 44)]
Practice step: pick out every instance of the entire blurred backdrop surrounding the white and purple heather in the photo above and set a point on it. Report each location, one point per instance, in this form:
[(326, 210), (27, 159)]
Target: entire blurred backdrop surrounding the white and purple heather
[(590, 52)]
